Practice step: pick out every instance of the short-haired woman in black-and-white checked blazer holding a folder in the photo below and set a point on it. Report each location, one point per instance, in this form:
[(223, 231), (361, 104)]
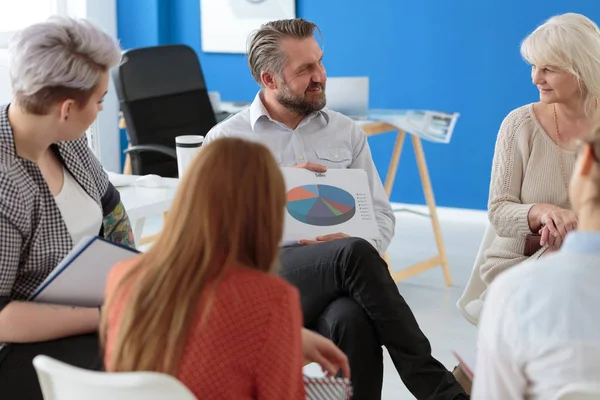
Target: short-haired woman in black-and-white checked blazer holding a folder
[(53, 191)]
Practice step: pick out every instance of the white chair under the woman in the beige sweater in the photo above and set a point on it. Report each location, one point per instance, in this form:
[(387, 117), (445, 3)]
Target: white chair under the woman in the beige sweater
[(470, 303)]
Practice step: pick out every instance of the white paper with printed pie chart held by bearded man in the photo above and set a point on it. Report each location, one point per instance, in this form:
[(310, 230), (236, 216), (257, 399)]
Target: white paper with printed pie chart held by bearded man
[(338, 200)]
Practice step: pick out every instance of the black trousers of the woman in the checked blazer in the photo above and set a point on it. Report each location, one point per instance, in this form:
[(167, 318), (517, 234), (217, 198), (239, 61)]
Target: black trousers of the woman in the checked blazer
[(18, 379)]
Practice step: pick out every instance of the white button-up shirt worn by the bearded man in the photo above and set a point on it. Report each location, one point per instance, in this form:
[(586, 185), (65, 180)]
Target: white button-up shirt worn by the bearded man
[(325, 137)]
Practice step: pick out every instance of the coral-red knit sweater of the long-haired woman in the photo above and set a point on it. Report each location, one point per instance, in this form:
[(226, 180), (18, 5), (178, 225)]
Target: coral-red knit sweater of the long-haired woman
[(250, 346)]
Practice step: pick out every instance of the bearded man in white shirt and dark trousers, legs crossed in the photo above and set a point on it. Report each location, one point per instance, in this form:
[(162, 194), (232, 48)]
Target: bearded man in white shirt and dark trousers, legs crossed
[(346, 289)]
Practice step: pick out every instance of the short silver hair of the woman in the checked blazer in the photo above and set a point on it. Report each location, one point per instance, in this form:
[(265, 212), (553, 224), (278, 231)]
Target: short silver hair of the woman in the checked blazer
[(58, 59)]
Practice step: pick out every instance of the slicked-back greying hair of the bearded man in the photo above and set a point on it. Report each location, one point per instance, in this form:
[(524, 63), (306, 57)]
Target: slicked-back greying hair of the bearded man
[(264, 51)]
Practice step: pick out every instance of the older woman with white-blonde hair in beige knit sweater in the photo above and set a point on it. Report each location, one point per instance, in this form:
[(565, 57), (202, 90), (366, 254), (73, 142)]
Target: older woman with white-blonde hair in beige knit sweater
[(534, 154)]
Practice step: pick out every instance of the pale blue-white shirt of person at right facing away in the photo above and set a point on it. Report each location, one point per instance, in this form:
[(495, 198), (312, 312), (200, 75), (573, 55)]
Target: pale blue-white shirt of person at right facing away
[(540, 327)]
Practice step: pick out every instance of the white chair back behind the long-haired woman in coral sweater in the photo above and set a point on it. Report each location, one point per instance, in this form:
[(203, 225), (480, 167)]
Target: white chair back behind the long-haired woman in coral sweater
[(60, 381)]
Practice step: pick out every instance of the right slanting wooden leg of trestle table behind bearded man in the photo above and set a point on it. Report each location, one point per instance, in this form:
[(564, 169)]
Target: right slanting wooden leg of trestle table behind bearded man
[(429, 198)]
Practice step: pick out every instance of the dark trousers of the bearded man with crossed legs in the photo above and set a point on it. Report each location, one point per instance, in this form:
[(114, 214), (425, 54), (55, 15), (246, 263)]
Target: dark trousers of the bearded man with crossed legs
[(324, 273)]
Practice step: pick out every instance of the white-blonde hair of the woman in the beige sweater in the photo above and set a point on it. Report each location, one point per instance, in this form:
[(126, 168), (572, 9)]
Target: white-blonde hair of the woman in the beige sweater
[(570, 42)]
